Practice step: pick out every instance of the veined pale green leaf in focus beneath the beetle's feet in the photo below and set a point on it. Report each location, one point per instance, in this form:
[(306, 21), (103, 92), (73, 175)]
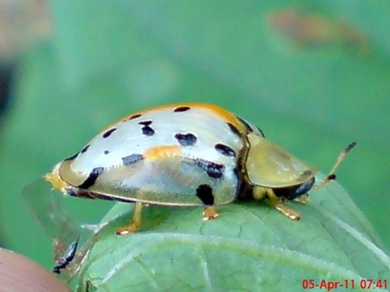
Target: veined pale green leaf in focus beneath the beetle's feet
[(249, 247)]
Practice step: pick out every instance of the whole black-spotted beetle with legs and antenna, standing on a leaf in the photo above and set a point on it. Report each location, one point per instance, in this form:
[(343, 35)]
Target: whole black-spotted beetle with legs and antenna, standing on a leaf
[(186, 155)]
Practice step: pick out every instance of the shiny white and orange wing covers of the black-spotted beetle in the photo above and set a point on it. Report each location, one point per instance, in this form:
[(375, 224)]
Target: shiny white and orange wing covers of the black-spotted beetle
[(168, 173)]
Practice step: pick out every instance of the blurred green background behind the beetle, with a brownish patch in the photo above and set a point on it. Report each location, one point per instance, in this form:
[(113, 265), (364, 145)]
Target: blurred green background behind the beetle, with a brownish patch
[(313, 75)]
